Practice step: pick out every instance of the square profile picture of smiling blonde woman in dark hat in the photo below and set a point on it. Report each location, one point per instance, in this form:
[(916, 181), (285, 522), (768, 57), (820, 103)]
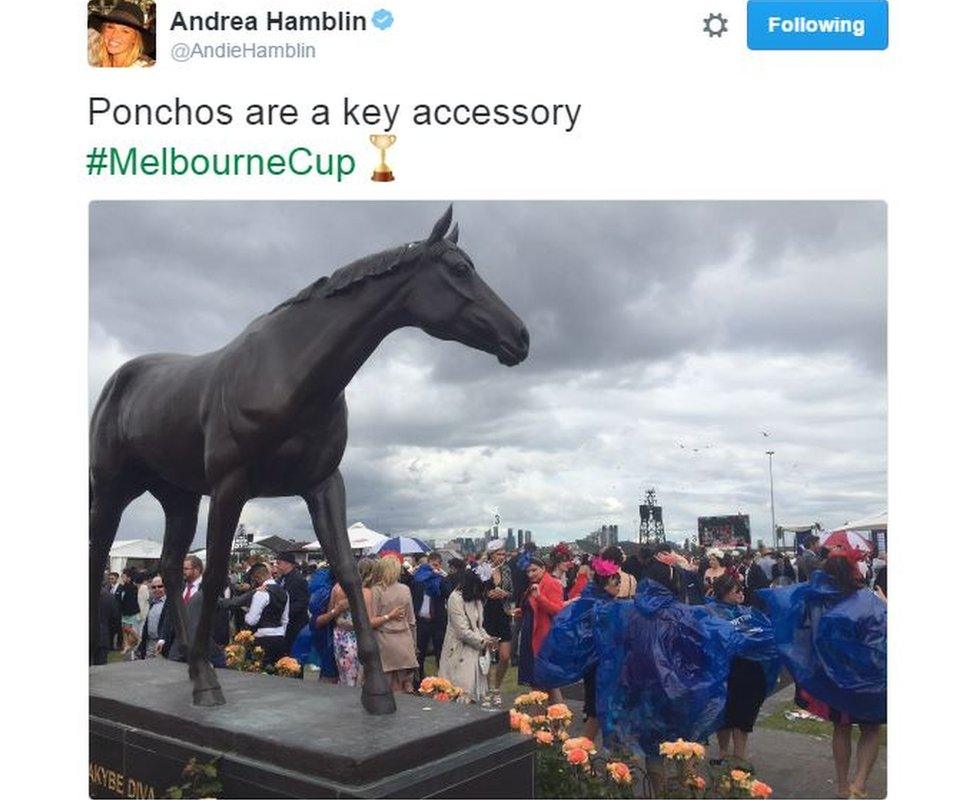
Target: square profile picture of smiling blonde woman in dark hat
[(121, 34)]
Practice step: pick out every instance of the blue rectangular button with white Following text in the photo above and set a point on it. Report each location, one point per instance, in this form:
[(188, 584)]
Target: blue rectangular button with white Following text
[(798, 25)]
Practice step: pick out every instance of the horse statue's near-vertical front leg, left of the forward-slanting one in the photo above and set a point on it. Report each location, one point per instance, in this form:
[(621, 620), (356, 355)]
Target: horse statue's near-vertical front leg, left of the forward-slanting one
[(226, 502)]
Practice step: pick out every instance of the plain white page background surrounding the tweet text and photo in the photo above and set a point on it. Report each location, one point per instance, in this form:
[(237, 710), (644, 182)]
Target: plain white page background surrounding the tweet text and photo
[(668, 114)]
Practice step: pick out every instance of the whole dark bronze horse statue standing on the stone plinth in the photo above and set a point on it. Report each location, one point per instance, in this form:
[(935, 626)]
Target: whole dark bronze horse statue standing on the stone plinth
[(265, 416)]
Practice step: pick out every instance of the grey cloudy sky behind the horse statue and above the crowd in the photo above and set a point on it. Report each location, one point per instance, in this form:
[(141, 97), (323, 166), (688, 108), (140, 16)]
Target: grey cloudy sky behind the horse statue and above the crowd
[(665, 338)]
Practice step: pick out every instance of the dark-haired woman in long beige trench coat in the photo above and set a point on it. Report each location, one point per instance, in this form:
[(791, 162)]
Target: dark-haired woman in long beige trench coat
[(466, 638)]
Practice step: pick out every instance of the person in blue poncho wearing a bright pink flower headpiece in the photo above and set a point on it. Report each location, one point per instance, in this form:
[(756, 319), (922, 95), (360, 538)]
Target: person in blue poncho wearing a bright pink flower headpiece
[(572, 649)]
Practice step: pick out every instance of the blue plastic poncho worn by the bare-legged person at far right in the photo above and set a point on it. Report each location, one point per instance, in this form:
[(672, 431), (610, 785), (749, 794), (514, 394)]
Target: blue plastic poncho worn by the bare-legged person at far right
[(834, 645)]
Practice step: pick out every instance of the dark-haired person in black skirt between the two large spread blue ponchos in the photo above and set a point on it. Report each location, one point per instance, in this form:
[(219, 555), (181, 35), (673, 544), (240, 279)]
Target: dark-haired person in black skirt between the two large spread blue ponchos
[(750, 679)]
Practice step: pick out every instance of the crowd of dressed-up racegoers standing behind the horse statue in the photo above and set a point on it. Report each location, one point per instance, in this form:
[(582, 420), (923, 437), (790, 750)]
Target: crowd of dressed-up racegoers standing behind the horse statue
[(667, 643)]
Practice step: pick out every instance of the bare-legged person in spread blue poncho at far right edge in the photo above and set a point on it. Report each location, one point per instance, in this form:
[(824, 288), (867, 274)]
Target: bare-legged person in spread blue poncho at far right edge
[(832, 634)]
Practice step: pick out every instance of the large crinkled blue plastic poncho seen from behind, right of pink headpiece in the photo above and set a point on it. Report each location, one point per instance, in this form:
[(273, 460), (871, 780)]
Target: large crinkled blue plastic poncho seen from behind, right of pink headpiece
[(667, 672)]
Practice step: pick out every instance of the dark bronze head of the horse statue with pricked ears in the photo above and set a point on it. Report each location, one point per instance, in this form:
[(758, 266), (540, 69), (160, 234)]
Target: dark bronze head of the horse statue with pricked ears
[(446, 298)]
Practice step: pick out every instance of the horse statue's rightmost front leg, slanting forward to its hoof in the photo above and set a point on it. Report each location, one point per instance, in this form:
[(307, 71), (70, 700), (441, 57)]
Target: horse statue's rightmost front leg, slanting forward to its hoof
[(327, 507)]
